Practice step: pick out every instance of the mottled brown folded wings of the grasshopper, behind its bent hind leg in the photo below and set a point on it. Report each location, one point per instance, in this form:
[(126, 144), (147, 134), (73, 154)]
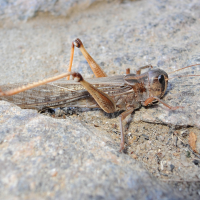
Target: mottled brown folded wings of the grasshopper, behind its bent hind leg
[(65, 94)]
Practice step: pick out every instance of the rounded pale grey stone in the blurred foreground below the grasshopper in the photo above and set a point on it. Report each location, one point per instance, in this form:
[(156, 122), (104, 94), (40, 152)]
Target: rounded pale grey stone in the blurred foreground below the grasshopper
[(62, 159)]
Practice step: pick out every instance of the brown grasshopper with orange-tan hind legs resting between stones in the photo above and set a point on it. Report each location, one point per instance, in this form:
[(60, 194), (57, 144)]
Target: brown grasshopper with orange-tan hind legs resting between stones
[(123, 92)]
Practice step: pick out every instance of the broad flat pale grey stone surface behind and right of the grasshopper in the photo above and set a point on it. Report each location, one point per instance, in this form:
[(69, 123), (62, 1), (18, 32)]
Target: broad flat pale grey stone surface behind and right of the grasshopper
[(153, 32)]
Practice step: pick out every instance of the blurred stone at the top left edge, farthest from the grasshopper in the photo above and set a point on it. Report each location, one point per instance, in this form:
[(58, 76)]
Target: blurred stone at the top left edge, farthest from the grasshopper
[(24, 10)]
